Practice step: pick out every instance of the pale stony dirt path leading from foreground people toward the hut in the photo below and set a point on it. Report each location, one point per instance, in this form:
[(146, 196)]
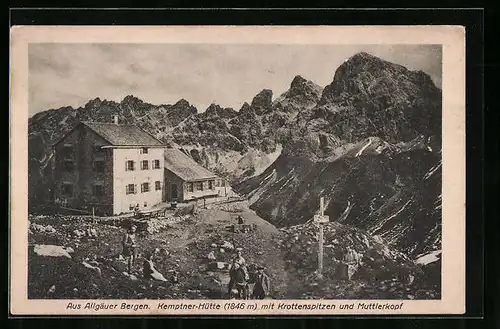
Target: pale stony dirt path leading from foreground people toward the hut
[(209, 226)]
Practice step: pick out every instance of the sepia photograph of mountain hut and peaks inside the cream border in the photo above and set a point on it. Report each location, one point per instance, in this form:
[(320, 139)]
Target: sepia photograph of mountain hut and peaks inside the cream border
[(234, 171)]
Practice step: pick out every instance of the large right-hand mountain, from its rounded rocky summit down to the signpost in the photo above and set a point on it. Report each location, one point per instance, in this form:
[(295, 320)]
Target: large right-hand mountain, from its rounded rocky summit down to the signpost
[(371, 147)]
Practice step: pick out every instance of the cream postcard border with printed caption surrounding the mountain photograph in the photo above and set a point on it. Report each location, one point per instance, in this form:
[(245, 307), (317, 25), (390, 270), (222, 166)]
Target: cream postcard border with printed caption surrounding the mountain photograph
[(452, 39)]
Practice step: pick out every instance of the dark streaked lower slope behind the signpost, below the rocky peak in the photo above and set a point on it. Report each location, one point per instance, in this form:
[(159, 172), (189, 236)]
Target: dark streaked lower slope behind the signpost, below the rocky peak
[(396, 197)]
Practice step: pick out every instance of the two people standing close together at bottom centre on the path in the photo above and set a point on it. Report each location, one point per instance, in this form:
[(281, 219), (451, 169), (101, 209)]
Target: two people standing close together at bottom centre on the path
[(240, 279)]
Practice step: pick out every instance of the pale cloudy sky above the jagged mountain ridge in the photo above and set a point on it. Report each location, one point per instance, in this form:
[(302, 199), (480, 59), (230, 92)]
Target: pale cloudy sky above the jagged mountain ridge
[(229, 75)]
